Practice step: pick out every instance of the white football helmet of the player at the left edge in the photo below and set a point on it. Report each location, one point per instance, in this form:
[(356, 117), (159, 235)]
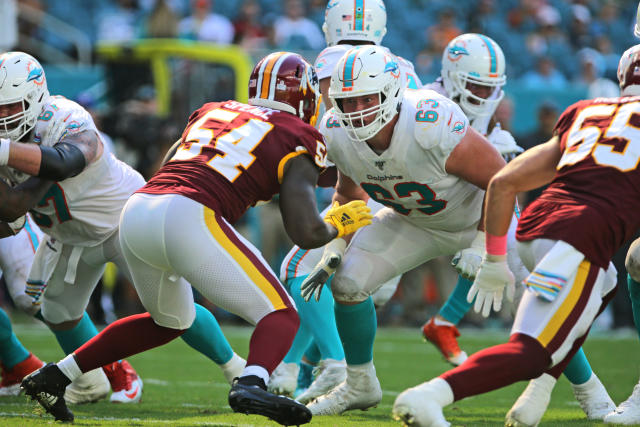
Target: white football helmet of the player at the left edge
[(22, 80)]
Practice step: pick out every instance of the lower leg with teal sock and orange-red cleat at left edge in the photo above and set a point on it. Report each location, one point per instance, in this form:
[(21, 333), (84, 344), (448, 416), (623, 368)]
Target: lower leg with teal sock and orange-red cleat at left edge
[(15, 360)]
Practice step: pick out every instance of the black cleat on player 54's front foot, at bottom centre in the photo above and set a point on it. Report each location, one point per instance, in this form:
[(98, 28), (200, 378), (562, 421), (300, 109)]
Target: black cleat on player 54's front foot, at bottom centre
[(247, 398)]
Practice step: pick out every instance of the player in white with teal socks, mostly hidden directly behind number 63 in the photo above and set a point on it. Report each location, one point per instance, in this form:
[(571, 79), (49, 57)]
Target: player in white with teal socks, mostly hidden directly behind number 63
[(366, 26)]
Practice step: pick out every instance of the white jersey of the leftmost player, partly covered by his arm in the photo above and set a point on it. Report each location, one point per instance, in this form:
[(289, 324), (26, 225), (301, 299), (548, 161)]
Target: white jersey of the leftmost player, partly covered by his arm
[(83, 210)]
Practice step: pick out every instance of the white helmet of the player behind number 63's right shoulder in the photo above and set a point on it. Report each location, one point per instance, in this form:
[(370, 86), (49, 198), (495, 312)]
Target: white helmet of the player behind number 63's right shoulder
[(475, 59)]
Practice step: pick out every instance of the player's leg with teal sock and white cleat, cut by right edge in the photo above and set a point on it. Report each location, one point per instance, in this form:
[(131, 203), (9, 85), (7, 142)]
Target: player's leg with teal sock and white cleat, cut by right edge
[(628, 412)]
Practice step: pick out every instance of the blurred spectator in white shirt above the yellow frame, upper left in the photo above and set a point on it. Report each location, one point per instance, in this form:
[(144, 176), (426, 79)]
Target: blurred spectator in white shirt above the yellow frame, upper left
[(205, 25)]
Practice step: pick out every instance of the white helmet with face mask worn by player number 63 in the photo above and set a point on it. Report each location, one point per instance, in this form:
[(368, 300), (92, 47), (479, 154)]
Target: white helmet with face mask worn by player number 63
[(366, 70)]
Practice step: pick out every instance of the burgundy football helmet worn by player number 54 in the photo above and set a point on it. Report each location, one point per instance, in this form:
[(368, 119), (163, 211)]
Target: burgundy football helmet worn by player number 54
[(285, 81)]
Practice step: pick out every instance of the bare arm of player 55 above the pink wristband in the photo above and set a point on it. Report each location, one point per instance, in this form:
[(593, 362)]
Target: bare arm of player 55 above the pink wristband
[(532, 169)]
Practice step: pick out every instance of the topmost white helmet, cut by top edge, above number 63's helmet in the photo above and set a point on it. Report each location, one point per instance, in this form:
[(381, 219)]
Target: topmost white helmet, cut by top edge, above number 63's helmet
[(354, 20)]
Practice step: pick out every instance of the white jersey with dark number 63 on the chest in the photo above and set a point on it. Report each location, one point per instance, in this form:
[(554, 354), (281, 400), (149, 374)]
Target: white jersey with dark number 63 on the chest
[(410, 175)]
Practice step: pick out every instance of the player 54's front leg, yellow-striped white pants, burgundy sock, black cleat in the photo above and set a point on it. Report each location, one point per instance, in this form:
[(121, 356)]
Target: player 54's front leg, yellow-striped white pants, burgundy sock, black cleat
[(230, 272)]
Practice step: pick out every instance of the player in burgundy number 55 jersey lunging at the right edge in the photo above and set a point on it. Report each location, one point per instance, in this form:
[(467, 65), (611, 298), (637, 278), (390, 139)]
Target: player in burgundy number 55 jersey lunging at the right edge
[(566, 239)]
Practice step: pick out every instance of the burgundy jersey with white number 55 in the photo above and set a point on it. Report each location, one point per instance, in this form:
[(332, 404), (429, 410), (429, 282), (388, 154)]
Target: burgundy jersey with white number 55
[(593, 202)]
